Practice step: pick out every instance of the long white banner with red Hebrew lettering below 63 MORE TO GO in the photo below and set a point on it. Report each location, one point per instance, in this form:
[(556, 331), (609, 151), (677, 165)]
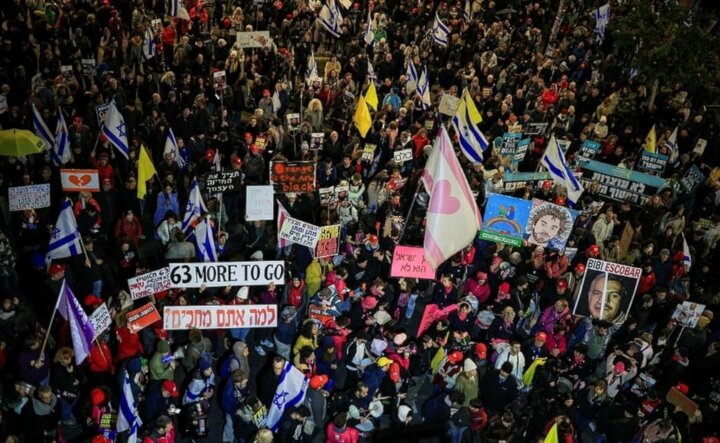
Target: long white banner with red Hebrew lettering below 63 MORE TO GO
[(219, 317)]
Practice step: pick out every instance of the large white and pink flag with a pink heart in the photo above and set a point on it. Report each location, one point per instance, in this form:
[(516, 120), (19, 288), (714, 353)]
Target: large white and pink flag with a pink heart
[(453, 218)]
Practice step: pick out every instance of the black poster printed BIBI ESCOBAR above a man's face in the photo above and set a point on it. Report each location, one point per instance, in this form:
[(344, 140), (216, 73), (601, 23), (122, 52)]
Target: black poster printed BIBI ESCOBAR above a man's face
[(607, 291)]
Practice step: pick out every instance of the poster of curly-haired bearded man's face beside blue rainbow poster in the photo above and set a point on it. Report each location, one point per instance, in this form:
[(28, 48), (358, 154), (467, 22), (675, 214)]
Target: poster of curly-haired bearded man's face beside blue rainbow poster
[(549, 225)]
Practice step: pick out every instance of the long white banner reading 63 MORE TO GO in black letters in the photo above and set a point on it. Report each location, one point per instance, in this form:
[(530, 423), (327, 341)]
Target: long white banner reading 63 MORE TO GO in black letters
[(217, 275)]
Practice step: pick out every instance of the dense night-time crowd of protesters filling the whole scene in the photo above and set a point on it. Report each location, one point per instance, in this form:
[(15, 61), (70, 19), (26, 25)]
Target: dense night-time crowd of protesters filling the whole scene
[(502, 358)]
